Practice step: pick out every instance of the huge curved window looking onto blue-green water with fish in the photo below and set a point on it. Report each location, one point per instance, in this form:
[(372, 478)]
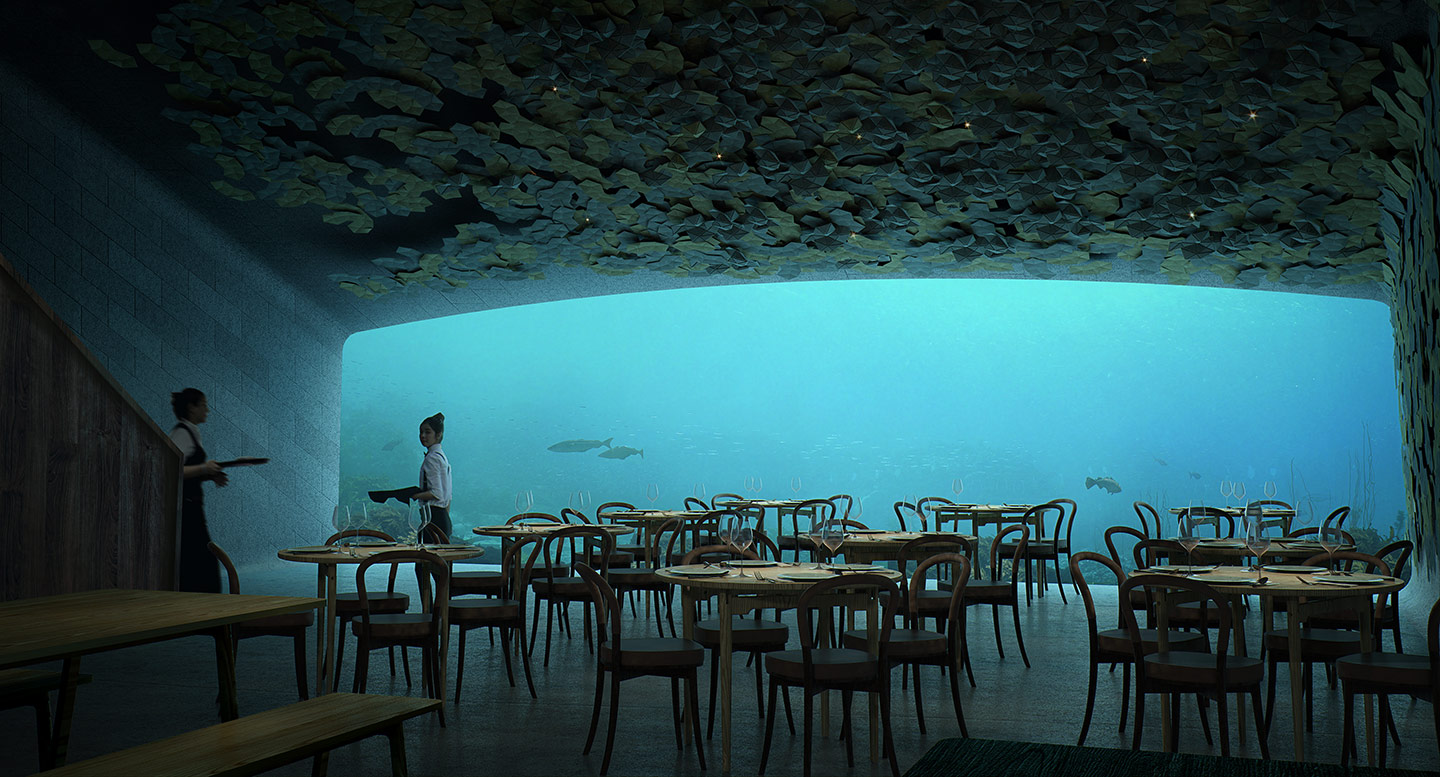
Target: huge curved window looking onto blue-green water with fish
[(974, 391)]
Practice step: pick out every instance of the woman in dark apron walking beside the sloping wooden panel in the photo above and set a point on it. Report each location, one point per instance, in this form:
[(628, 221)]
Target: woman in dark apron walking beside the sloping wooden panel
[(199, 571)]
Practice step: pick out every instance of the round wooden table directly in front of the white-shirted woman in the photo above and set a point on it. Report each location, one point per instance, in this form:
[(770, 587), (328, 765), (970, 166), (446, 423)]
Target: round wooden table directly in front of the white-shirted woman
[(328, 559)]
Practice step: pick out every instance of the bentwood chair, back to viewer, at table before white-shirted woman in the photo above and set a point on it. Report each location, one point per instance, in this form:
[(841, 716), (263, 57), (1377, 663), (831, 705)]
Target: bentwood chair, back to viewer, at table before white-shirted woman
[(375, 631)]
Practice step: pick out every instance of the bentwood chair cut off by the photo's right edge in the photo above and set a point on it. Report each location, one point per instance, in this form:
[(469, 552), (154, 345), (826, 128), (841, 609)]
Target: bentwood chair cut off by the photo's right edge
[(1386, 674)]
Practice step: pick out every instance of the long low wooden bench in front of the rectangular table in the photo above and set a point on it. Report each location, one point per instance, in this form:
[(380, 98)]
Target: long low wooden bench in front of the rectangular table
[(269, 740)]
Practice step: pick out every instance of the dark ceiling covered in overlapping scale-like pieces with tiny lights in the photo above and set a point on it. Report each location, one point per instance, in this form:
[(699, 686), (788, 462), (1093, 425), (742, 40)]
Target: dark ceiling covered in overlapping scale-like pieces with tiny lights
[(1245, 143)]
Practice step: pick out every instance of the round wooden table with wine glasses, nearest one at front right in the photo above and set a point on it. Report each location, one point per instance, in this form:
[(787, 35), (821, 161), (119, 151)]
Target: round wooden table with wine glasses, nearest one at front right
[(1305, 596)]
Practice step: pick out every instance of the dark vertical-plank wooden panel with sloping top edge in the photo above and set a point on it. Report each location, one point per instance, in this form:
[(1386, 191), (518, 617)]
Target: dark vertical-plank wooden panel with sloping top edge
[(90, 486)]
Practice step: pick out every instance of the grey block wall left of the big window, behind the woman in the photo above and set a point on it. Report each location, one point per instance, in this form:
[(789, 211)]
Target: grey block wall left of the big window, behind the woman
[(166, 301)]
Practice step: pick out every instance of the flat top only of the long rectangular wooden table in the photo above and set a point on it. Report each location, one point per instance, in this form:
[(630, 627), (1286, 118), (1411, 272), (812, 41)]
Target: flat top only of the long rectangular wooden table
[(55, 627)]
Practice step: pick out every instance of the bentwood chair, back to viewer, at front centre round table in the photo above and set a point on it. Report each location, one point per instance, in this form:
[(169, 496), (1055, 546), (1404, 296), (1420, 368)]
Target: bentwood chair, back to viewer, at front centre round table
[(816, 670)]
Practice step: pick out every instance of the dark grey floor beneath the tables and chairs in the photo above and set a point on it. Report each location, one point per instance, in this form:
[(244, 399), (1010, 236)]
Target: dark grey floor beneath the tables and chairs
[(150, 693)]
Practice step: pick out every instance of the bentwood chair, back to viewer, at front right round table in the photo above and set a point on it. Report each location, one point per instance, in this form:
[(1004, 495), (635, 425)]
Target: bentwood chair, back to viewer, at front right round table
[(1177, 673)]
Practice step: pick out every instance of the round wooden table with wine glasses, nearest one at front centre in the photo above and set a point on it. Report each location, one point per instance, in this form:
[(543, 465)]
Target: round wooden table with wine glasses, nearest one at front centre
[(764, 589)]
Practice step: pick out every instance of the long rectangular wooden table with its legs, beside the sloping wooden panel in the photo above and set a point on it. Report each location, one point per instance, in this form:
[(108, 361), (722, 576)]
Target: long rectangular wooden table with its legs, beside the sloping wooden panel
[(71, 627)]
